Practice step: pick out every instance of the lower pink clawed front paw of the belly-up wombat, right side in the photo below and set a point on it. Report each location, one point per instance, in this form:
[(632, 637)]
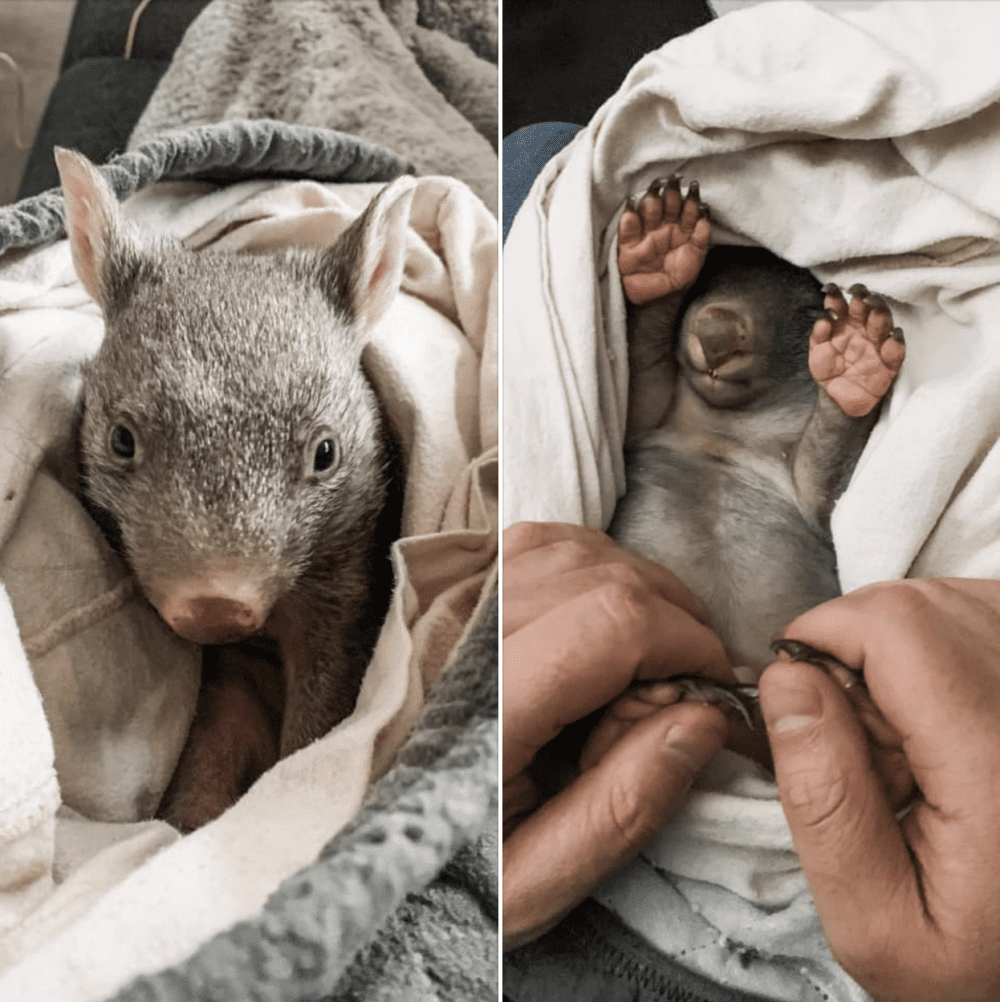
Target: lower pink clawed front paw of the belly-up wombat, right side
[(855, 352)]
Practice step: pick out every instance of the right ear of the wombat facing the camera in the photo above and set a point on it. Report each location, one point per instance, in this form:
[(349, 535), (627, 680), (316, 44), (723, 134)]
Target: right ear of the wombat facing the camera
[(363, 270)]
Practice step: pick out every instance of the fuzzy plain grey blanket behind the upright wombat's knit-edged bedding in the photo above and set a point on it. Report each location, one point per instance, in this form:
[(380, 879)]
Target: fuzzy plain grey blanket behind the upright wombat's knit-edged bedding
[(417, 77)]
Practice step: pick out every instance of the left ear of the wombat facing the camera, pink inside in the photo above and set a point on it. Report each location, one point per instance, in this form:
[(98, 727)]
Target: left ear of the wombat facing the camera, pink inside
[(95, 224)]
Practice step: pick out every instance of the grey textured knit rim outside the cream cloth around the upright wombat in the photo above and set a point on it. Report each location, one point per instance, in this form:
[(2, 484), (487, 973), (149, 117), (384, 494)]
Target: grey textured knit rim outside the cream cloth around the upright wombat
[(402, 904)]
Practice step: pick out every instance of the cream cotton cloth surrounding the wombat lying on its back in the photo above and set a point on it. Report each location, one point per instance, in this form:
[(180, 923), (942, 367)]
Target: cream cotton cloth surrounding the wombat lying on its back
[(862, 145)]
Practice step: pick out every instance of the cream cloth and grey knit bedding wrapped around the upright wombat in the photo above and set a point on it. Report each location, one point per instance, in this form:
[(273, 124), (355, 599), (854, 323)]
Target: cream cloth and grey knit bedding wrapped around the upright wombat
[(316, 859)]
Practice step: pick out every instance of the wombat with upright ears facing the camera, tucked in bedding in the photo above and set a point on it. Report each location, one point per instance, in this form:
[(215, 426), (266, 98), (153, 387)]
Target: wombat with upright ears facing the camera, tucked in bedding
[(231, 438)]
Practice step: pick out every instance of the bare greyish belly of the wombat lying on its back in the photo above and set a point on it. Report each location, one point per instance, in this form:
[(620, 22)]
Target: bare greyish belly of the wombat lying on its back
[(733, 537)]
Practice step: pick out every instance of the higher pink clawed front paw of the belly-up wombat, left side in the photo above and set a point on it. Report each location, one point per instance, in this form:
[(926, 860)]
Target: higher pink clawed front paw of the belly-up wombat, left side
[(663, 241)]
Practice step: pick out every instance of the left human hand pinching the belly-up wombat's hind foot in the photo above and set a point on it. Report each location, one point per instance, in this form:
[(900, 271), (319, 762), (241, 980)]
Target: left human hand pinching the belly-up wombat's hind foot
[(584, 620)]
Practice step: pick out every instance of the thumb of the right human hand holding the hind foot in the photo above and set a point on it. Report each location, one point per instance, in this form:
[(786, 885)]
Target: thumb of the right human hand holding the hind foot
[(852, 850)]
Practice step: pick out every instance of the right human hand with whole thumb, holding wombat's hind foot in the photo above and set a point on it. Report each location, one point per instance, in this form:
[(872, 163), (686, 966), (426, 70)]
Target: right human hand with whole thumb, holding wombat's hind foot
[(911, 908)]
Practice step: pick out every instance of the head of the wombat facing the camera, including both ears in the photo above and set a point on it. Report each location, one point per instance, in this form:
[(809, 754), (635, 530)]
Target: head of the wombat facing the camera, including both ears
[(228, 427)]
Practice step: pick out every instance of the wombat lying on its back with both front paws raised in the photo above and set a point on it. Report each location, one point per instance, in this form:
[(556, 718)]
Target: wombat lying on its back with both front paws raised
[(753, 392)]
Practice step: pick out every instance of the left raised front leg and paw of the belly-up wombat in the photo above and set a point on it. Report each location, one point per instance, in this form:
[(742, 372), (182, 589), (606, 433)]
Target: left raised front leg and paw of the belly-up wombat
[(663, 243)]
